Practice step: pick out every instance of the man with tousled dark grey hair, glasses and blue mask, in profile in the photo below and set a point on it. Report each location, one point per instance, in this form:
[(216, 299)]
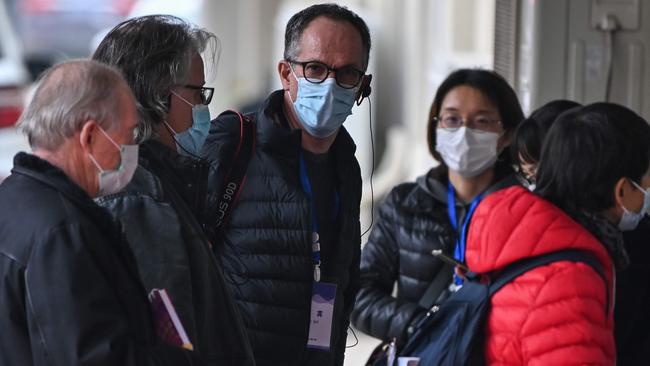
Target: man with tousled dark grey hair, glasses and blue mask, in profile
[(160, 57)]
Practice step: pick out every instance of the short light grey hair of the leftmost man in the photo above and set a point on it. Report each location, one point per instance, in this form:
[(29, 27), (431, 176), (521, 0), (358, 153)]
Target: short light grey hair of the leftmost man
[(68, 95)]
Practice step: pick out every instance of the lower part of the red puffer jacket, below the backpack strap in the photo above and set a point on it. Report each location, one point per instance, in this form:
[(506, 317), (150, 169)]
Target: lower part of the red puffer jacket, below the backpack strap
[(554, 315)]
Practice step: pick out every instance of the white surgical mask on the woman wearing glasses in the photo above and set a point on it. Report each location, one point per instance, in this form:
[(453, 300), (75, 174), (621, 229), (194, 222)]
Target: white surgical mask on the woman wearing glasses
[(467, 151)]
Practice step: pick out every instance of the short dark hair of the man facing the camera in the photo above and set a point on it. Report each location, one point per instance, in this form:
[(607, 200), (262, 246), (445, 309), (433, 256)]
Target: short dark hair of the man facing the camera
[(299, 22)]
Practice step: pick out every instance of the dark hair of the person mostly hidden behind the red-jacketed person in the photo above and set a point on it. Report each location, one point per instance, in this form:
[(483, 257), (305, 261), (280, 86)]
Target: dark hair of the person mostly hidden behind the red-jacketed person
[(529, 135)]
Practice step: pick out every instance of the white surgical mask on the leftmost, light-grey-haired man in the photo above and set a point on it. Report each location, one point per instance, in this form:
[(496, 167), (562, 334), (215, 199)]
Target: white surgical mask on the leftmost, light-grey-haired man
[(113, 181)]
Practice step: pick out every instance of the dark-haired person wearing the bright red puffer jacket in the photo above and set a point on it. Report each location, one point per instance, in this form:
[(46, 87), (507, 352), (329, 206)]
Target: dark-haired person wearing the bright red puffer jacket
[(593, 181)]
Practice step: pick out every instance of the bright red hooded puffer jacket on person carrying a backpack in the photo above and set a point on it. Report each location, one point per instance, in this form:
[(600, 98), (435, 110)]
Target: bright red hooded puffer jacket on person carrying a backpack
[(554, 314)]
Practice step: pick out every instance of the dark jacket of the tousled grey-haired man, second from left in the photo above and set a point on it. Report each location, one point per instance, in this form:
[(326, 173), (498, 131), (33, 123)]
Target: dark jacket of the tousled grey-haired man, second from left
[(158, 210)]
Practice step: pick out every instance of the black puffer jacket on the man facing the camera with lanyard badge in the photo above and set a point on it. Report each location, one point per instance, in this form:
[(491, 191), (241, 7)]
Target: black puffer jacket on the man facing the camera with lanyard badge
[(266, 247)]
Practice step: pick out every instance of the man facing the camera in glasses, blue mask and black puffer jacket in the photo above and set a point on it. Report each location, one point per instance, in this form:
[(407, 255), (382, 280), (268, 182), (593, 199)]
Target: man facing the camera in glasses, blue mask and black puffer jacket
[(292, 240)]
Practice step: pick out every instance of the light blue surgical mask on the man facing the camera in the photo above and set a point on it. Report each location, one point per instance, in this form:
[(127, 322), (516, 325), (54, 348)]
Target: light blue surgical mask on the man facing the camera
[(322, 108)]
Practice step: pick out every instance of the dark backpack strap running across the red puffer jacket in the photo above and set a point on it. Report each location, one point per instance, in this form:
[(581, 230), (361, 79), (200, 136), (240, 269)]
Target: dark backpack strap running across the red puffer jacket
[(520, 267)]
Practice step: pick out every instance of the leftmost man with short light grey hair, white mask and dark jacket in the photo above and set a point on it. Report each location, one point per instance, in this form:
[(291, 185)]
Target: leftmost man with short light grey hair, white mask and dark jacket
[(70, 294)]
